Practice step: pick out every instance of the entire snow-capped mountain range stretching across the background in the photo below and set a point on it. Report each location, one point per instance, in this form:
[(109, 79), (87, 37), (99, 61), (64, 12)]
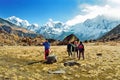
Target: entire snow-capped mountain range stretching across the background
[(89, 29)]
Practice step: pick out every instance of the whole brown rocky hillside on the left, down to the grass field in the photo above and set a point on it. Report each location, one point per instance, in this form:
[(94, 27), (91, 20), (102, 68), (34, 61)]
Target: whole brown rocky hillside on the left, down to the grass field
[(11, 34)]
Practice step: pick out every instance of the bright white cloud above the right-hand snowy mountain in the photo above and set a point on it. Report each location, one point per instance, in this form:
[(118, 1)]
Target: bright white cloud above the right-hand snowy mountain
[(111, 9)]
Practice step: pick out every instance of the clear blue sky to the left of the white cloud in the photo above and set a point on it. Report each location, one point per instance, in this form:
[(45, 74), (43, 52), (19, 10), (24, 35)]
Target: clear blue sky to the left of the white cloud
[(38, 10)]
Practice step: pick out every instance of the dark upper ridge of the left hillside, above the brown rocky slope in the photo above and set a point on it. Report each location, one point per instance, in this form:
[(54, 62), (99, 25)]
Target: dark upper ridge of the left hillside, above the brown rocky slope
[(12, 28)]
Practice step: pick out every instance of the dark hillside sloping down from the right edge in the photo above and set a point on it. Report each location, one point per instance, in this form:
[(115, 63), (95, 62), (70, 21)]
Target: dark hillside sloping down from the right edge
[(112, 35)]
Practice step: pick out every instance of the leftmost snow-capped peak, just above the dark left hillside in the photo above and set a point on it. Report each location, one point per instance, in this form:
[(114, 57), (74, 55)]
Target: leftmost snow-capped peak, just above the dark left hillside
[(22, 23)]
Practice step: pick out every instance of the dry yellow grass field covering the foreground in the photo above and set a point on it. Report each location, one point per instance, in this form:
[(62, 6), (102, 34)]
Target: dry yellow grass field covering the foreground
[(26, 63)]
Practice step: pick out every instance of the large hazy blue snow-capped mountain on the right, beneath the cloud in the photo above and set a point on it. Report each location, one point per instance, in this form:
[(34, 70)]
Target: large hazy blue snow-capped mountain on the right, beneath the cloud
[(94, 28)]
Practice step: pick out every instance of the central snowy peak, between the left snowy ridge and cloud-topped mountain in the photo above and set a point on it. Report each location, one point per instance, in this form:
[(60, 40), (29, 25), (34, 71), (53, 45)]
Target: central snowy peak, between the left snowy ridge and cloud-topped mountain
[(52, 29)]
